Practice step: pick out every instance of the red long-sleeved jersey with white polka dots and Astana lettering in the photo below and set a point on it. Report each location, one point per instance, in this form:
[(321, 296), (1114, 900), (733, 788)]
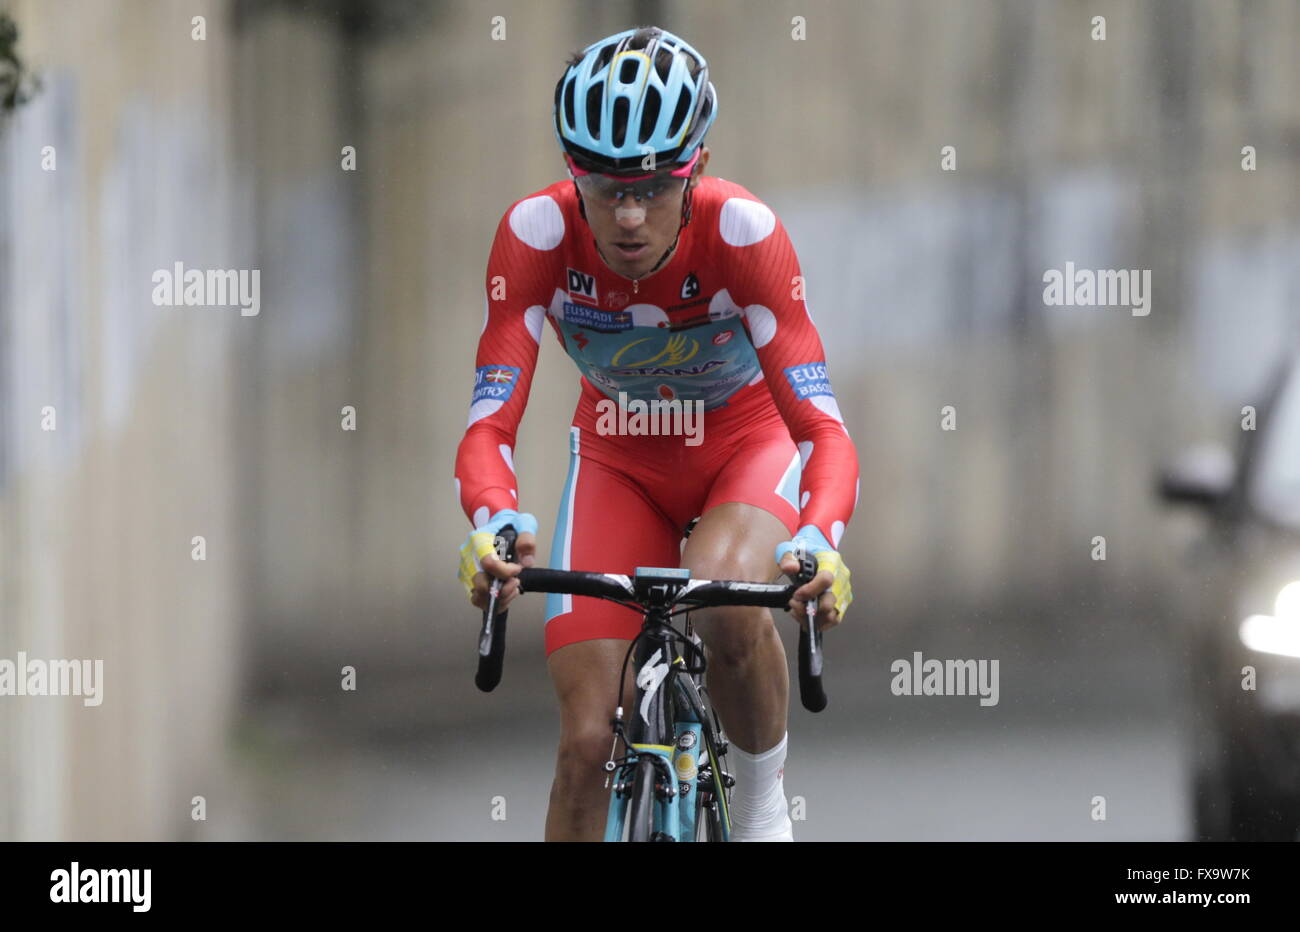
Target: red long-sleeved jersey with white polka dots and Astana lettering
[(723, 323)]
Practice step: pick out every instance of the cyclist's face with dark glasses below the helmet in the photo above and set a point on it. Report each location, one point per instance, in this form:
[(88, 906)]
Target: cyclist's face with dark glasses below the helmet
[(631, 235)]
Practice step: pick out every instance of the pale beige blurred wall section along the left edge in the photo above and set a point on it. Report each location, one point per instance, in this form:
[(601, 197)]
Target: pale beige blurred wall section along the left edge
[(97, 517)]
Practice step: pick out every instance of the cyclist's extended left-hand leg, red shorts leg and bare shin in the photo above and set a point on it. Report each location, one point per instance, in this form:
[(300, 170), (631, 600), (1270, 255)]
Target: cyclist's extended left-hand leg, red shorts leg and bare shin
[(606, 526)]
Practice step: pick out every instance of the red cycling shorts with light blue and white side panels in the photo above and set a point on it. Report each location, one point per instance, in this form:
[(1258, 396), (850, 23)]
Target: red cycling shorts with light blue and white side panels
[(630, 498)]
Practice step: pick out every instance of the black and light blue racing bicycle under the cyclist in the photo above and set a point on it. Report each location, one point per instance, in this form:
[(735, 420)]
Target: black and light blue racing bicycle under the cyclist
[(662, 792)]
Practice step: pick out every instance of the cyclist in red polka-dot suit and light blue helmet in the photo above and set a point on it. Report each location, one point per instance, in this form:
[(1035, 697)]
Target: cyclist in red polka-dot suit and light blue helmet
[(666, 285)]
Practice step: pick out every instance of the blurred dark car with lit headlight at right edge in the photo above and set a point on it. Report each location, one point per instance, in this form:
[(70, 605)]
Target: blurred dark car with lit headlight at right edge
[(1245, 647)]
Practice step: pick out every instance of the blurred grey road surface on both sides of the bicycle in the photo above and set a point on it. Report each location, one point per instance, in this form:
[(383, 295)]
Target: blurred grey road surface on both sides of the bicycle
[(874, 766)]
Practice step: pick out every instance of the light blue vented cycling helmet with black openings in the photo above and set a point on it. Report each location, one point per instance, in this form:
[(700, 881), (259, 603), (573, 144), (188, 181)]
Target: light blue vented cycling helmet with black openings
[(632, 94)]
